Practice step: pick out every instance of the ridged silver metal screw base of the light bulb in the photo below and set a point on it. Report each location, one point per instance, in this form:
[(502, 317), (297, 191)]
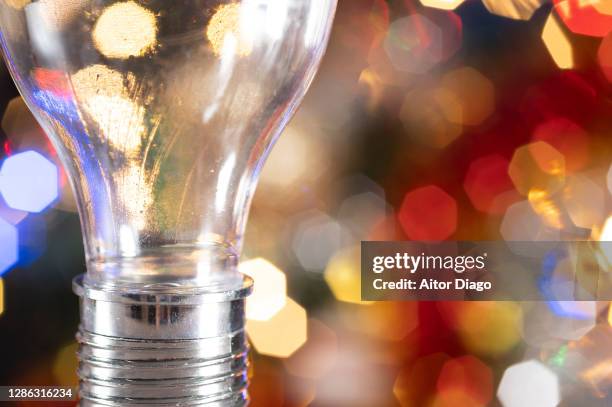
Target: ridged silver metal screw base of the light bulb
[(162, 348)]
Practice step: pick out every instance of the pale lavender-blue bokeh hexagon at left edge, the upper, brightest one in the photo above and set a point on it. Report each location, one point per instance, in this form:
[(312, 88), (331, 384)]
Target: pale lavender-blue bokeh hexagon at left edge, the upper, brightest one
[(28, 181)]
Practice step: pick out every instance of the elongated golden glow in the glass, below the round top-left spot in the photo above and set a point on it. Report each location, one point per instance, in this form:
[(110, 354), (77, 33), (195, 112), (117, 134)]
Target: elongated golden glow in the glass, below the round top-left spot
[(104, 93)]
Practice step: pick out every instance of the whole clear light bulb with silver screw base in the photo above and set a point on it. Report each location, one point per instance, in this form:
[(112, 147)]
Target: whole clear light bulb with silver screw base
[(163, 114)]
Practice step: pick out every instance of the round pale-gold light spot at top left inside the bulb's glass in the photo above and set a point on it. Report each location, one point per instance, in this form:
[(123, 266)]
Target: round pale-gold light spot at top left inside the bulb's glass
[(125, 30)]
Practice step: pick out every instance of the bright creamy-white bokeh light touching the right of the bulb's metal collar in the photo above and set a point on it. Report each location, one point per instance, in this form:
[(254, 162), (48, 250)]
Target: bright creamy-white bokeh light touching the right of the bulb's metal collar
[(269, 290)]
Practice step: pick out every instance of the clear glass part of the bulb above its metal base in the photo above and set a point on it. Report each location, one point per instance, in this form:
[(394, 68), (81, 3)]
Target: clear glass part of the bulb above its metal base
[(163, 113)]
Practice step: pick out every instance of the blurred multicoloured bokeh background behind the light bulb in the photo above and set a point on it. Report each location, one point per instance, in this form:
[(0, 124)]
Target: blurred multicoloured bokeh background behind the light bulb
[(430, 120)]
